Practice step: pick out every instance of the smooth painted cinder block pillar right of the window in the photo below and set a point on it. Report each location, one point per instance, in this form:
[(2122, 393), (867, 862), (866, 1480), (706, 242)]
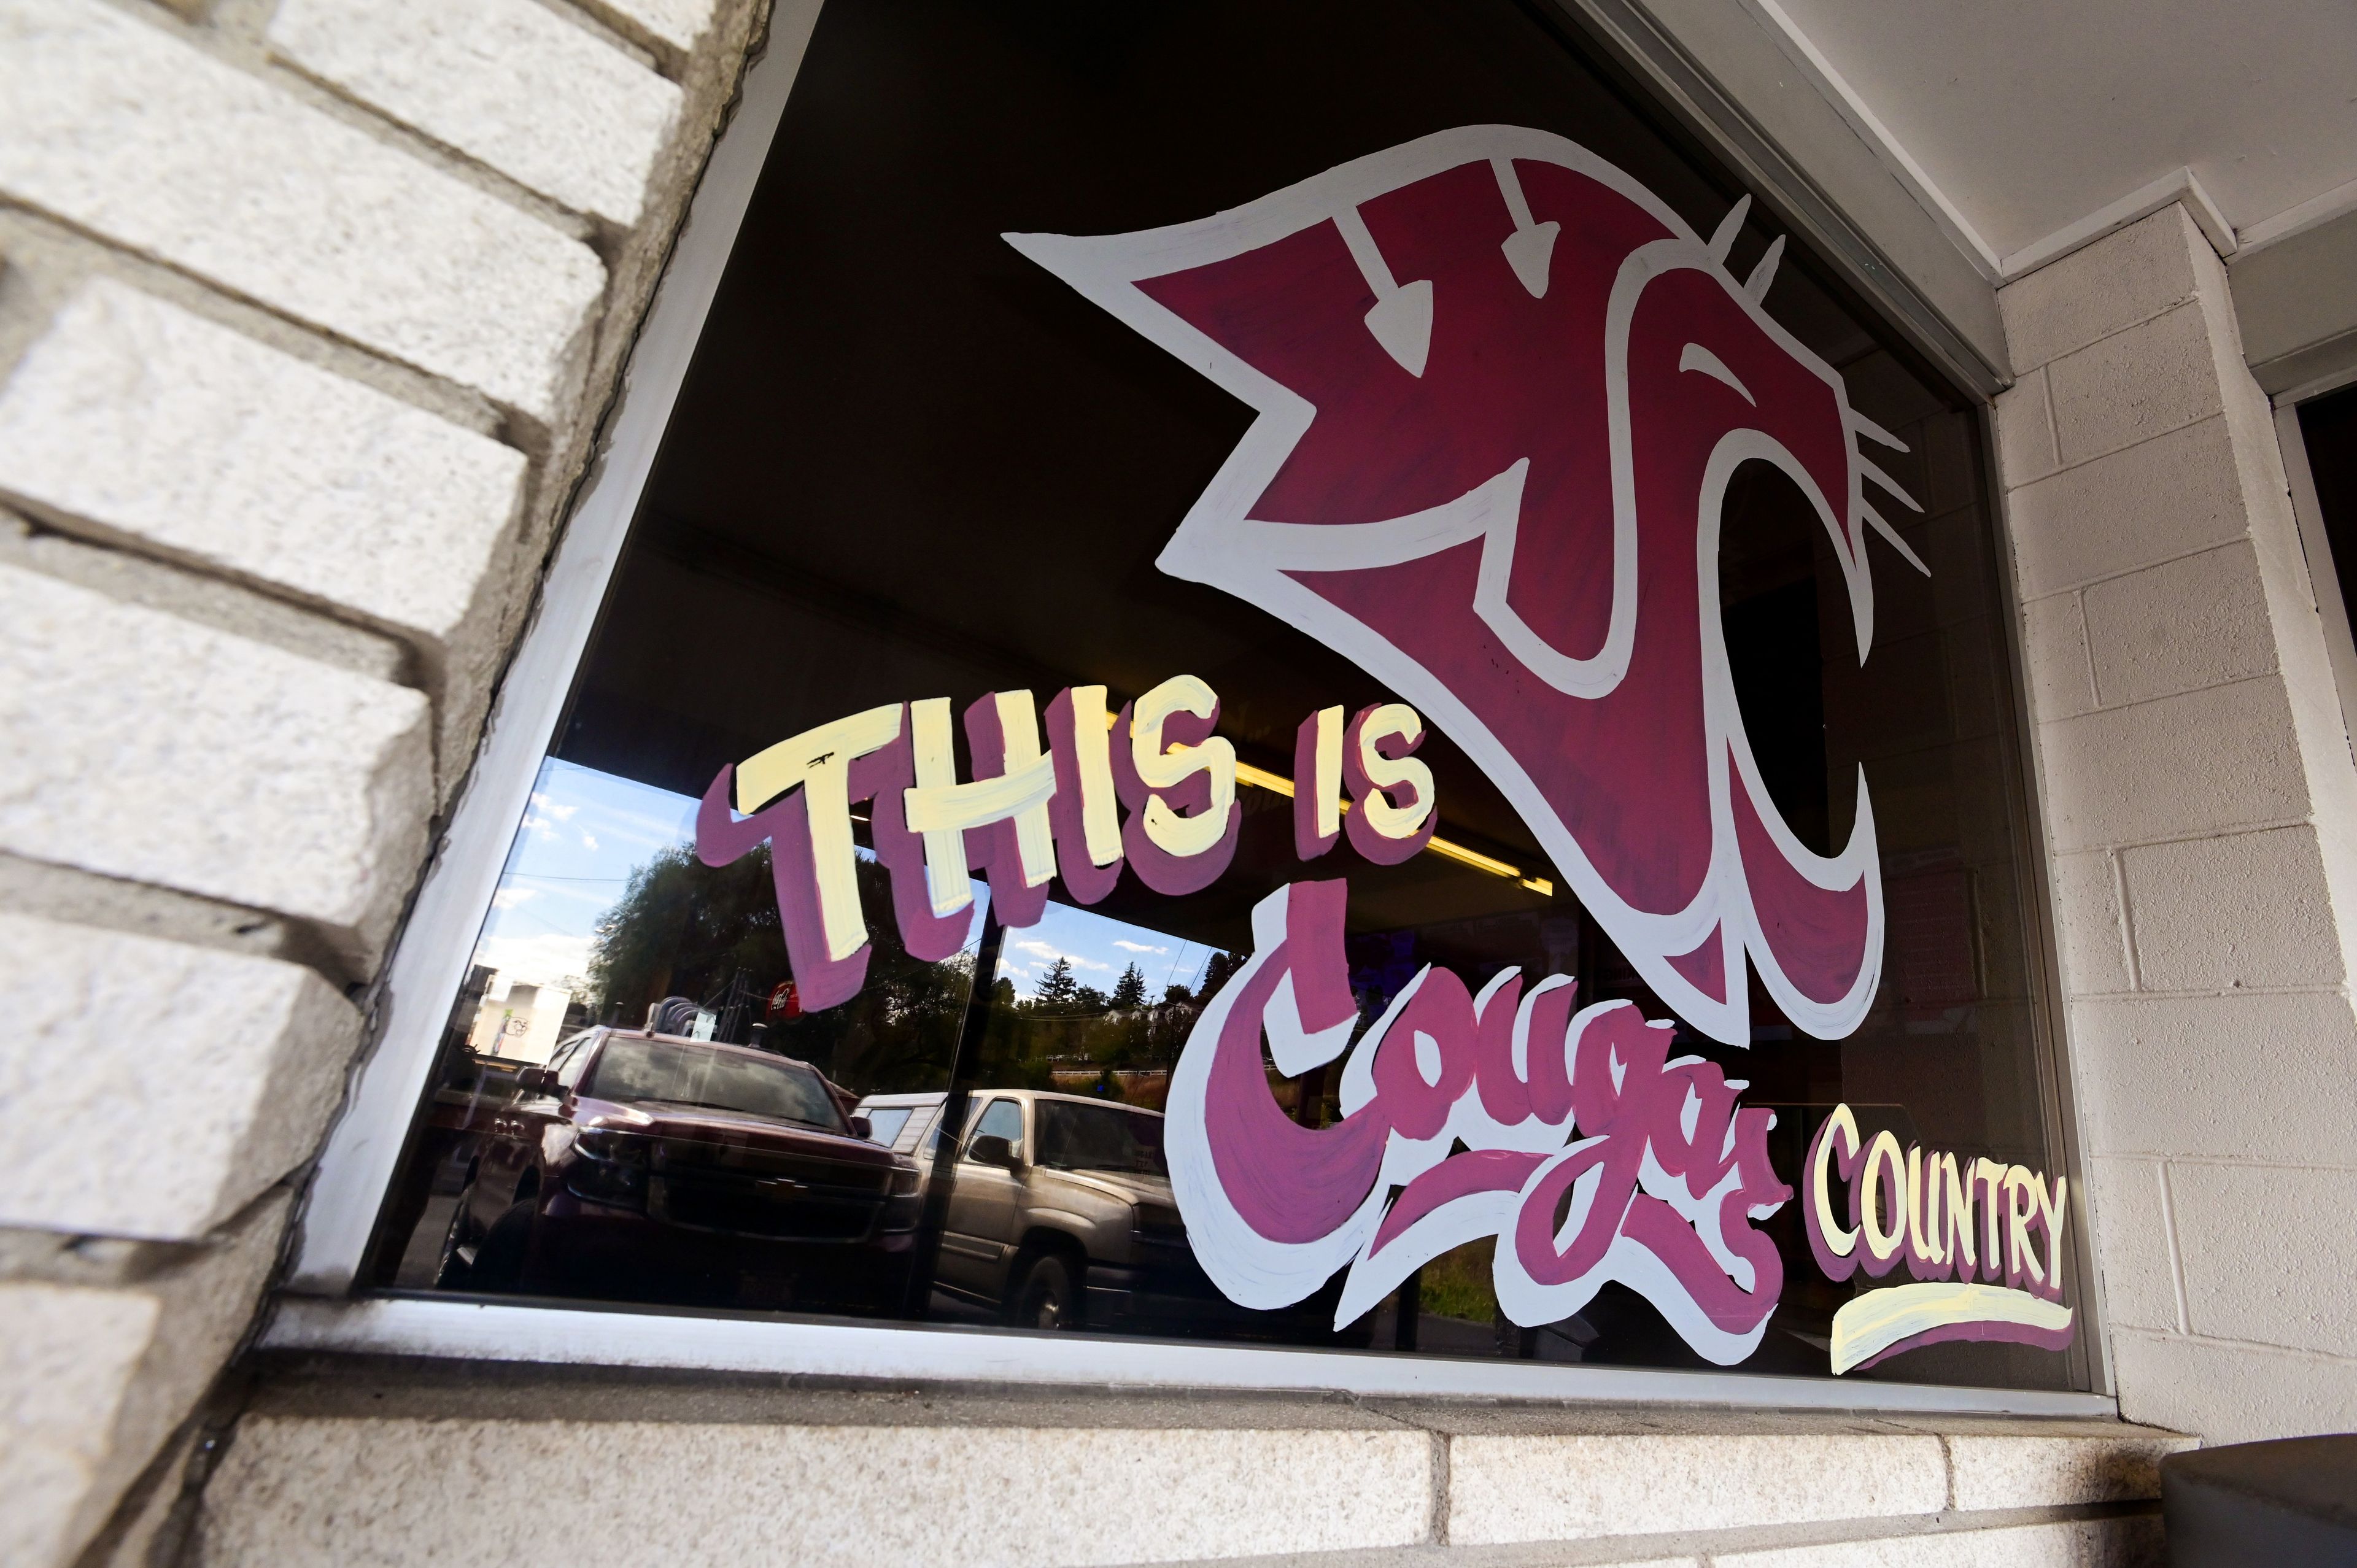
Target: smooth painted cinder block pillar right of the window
[(2200, 812)]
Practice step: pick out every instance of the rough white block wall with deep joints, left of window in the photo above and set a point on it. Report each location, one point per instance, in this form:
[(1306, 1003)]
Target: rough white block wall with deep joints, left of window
[(308, 317)]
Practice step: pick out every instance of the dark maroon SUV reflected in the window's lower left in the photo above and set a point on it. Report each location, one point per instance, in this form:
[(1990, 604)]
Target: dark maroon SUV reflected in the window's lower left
[(682, 1171)]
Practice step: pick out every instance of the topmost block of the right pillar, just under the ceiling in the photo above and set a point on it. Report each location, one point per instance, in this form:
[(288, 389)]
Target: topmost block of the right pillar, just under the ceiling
[(2097, 291)]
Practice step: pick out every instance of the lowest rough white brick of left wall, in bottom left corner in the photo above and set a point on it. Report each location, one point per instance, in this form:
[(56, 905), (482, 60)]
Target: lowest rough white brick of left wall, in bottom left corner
[(93, 1381)]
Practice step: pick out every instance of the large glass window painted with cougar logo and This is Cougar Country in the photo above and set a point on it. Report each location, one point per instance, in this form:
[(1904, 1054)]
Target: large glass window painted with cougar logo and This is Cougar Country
[(1298, 602)]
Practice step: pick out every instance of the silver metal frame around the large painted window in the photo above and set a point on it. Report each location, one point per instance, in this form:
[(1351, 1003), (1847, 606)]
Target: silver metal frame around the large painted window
[(317, 1307)]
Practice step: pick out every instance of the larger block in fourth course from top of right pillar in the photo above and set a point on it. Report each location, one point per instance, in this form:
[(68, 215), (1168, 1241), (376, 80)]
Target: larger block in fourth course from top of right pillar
[(2191, 624)]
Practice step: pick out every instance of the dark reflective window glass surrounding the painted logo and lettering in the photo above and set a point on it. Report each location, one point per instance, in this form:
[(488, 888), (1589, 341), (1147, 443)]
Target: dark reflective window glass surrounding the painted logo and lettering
[(911, 466)]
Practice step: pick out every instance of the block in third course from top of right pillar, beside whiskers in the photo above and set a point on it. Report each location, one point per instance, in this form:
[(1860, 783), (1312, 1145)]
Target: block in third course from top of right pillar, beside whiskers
[(2134, 508)]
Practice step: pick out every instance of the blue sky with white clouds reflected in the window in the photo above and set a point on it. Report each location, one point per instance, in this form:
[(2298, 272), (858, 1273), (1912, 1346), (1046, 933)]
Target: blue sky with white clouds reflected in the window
[(588, 831)]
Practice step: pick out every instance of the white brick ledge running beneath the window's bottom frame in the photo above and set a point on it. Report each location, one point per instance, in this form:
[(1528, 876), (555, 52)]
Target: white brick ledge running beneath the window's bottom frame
[(428, 1475)]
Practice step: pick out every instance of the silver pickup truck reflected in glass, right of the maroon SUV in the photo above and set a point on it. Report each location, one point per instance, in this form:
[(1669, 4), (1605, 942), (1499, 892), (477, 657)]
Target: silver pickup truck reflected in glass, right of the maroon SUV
[(1062, 1215)]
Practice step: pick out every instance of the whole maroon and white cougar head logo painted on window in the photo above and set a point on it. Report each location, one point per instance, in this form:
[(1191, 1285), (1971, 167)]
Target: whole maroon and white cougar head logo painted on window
[(1498, 489)]
